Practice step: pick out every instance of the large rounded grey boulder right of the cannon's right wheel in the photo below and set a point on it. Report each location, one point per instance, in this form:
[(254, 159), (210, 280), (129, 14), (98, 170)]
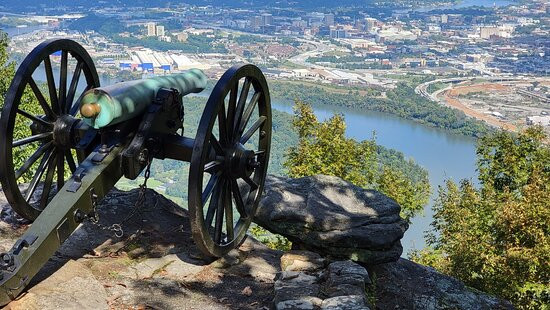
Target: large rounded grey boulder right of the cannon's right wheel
[(333, 217)]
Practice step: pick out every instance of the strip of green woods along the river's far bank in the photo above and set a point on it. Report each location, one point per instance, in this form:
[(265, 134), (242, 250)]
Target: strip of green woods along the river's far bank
[(401, 101)]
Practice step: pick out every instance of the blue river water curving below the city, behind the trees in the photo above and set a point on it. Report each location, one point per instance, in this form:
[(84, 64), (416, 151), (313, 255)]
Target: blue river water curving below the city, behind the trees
[(443, 154)]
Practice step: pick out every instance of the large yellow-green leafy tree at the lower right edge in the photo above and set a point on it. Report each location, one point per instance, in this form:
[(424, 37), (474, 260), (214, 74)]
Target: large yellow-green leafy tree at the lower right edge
[(497, 238)]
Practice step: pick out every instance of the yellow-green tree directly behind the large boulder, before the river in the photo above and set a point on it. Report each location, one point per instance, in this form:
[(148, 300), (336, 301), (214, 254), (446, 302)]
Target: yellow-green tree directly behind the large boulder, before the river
[(324, 149)]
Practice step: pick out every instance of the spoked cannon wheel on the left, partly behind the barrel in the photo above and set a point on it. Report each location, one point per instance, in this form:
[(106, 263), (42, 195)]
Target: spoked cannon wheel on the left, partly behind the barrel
[(35, 154)]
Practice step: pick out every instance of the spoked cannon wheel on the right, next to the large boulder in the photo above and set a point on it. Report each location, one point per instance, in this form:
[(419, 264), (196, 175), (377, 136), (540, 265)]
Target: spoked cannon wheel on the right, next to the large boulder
[(229, 160)]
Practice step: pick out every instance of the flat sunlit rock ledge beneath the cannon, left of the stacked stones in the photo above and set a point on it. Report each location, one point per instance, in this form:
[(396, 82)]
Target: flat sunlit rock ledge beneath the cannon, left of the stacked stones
[(155, 265)]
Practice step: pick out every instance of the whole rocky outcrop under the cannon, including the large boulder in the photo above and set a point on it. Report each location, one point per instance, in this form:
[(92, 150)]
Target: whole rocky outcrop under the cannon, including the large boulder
[(155, 265)]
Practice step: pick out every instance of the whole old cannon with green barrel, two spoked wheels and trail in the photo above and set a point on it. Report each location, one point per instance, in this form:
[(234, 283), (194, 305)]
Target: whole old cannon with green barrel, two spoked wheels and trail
[(59, 156)]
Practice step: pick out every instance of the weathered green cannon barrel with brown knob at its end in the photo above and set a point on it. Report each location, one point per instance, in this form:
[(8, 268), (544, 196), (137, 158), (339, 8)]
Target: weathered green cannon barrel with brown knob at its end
[(109, 105)]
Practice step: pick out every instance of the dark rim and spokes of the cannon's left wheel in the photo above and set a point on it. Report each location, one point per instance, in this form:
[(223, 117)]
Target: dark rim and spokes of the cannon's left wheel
[(62, 102)]
